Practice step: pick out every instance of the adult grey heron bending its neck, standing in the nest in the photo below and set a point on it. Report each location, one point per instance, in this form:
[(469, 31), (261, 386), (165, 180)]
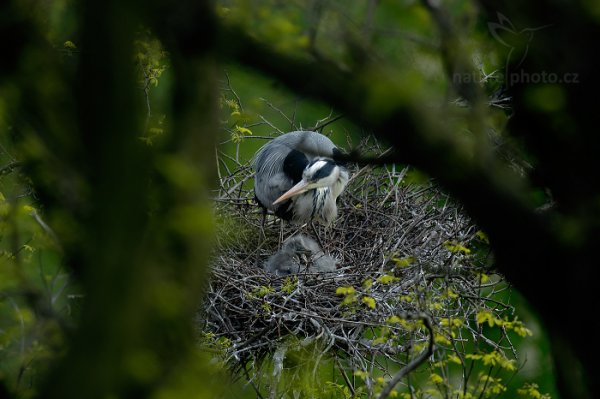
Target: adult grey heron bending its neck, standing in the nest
[(298, 179)]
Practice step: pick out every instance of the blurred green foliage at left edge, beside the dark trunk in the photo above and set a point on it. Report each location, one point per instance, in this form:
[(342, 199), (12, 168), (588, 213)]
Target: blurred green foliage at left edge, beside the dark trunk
[(37, 297)]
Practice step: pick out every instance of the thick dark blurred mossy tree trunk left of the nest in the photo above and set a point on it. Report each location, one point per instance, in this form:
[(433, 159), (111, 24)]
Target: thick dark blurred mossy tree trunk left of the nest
[(144, 236)]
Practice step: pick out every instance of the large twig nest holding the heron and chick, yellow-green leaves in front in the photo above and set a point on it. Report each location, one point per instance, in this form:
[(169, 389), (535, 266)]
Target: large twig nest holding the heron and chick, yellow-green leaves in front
[(406, 251)]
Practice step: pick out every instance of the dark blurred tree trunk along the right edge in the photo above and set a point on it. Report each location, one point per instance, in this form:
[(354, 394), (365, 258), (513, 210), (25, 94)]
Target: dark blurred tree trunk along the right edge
[(555, 117)]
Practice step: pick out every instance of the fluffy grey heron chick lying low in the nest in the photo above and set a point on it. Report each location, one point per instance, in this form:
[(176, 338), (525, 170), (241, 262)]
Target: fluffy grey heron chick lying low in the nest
[(300, 254)]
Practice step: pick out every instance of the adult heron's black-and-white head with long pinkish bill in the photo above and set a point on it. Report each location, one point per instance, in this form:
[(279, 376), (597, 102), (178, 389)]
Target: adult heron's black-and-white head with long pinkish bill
[(321, 172)]
